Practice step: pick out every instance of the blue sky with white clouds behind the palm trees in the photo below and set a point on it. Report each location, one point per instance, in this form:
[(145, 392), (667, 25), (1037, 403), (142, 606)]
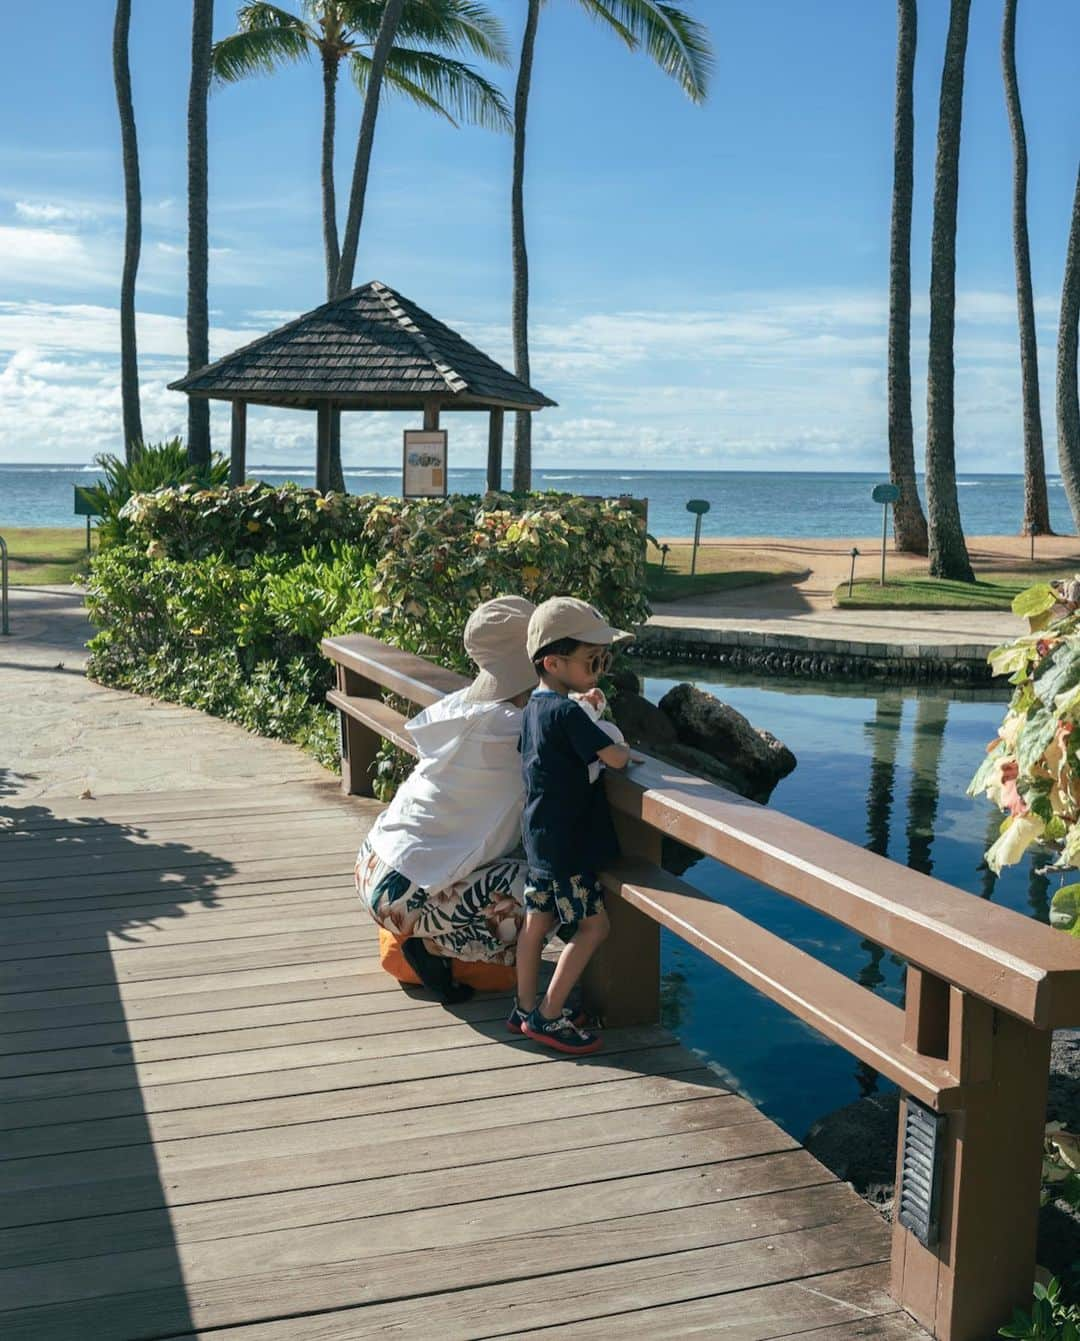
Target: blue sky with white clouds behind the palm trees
[(709, 284)]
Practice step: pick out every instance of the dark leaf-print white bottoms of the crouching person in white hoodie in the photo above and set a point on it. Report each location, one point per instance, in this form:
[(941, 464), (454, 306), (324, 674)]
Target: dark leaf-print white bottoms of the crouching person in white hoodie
[(477, 919)]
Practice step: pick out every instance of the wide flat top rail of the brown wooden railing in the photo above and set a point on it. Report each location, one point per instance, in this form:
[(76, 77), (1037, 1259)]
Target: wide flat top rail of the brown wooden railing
[(993, 953)]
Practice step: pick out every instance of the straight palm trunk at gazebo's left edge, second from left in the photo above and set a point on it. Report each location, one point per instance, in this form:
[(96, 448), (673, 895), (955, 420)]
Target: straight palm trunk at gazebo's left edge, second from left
[(199, 353)]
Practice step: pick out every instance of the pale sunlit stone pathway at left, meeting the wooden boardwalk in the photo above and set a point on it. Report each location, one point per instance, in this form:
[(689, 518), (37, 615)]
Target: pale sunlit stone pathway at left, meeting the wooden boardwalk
[(61, 734)]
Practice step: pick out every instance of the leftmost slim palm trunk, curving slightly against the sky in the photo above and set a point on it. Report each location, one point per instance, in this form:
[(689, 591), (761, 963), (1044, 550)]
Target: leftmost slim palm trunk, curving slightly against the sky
[(132, 234)]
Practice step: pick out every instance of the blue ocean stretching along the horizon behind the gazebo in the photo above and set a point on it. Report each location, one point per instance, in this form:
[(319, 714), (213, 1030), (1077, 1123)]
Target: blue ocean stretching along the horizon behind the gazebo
[(804, 505)]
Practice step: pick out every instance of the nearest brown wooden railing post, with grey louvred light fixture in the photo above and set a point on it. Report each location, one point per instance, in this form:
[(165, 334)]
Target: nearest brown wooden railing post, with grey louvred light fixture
[(983, 1267)]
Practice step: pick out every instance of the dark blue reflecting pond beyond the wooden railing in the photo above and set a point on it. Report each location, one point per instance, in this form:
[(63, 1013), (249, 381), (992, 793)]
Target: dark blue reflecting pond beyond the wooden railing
[(881, 766)]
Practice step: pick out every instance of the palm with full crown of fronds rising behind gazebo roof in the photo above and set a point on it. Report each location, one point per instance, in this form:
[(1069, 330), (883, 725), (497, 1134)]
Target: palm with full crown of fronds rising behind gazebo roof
[(423, 65)]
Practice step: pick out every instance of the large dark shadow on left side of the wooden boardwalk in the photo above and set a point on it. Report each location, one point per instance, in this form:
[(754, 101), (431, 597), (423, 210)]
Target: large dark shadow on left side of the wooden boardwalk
[(83, 902)]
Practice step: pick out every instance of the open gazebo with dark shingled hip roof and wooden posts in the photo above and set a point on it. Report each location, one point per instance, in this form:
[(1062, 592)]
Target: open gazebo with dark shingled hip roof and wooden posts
[(370, 351)]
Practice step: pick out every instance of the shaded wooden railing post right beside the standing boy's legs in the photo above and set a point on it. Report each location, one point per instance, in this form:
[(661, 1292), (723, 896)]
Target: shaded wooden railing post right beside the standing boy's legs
[(622, 984)]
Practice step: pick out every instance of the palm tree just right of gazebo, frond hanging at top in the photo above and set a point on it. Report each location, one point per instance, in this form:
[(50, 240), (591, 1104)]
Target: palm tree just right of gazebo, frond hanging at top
[(680, 45)]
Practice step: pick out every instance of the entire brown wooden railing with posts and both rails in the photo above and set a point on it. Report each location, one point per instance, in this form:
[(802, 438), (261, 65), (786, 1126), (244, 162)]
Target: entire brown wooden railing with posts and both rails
[(985, 986)]
